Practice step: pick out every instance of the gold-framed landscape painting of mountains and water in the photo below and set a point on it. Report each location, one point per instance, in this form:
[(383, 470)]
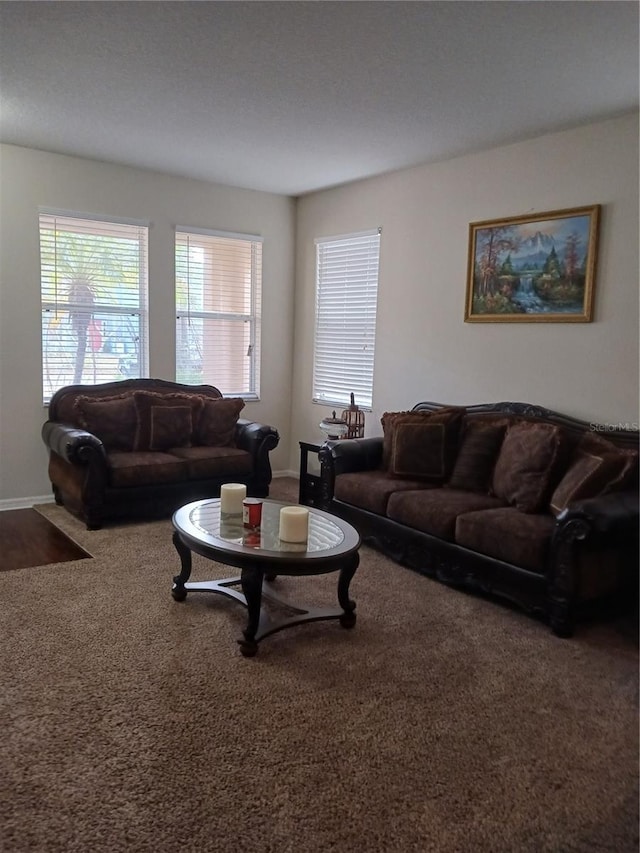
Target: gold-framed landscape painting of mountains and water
[(534, 268)]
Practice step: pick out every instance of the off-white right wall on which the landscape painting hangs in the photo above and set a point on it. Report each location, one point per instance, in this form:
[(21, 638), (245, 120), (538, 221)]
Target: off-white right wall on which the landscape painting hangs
[(424, 349)]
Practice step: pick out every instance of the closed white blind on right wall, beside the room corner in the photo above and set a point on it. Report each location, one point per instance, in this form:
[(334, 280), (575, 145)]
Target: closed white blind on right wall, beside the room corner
[(345, 330)]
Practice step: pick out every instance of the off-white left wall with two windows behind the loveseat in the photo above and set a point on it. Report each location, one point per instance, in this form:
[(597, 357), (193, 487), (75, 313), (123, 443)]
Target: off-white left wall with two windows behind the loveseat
[(34, 178)]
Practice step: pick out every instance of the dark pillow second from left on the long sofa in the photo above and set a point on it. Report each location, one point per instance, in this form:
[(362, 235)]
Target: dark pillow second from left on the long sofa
[(477, 454)]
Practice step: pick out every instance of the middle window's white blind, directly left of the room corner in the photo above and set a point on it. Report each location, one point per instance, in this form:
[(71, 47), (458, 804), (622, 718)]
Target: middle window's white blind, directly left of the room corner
[(218, 308)]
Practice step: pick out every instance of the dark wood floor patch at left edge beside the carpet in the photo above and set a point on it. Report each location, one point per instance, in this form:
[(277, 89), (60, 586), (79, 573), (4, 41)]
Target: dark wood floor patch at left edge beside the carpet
[(29, 539)]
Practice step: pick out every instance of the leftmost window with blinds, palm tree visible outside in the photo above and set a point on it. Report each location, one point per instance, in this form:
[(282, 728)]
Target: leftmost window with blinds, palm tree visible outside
[(94, 300)]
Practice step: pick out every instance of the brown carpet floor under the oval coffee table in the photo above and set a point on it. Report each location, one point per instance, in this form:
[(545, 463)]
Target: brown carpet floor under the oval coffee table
[(442, 722)]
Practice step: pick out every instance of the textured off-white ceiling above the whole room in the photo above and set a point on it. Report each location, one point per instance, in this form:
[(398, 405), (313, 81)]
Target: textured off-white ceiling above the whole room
[(292, 97)]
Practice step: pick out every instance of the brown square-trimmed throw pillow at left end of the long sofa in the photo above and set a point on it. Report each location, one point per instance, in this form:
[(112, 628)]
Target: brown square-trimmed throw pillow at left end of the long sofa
[(421, 445)]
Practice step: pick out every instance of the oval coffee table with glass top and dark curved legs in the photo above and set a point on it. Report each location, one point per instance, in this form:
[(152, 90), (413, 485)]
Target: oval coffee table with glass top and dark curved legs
[(261, 556)]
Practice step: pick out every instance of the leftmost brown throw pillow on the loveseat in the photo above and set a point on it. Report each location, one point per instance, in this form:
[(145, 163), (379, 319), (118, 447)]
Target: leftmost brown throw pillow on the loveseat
[(111, 419)]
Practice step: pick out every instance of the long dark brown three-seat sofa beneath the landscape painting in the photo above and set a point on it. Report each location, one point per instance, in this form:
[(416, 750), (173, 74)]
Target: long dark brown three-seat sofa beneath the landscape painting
[(507, 498)]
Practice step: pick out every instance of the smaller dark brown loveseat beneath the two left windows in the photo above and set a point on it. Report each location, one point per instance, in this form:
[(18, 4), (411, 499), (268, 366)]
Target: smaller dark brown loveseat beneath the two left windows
[(141, 448)]
